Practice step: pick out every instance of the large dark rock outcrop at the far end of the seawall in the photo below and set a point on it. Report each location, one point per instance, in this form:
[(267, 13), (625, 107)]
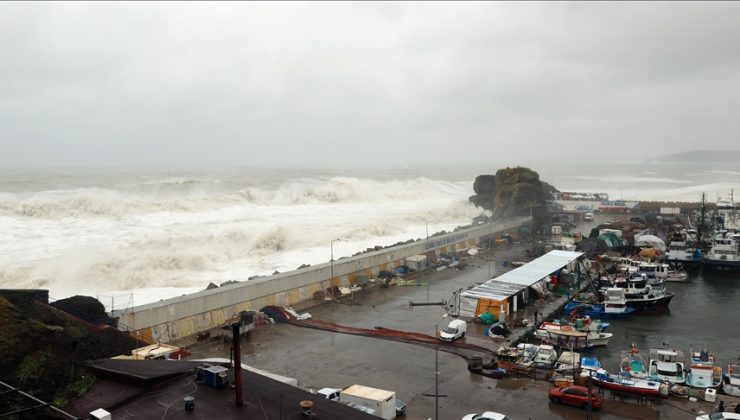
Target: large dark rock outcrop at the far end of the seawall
[(514, 192)]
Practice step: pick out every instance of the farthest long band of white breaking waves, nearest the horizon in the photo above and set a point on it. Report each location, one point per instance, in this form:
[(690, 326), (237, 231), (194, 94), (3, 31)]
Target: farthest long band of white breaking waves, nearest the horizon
[(187, 195)]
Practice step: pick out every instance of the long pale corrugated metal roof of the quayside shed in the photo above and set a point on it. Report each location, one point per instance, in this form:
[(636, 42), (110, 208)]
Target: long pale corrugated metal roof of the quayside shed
[(512, 282)]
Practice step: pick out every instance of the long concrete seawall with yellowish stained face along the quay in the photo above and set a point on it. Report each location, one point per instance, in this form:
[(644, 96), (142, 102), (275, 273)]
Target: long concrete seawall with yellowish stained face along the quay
[(187, 315)]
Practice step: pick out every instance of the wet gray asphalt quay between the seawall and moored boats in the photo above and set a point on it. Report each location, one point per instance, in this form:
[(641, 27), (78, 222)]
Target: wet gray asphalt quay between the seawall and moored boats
[(324, 359)]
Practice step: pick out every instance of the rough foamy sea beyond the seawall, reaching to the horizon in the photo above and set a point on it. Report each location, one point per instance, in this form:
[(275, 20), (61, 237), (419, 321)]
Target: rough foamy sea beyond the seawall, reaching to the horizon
[(130, 236)]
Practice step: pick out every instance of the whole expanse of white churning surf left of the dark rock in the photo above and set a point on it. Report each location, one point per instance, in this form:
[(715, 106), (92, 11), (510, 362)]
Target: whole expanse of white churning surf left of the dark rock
[(184, 233)]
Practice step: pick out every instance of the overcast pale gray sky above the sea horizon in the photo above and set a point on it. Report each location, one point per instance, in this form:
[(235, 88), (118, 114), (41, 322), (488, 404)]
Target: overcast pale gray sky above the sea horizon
[(234, 83)]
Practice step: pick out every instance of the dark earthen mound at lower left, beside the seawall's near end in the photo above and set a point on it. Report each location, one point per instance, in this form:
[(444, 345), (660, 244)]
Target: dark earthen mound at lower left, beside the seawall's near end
[(43, 350)]
